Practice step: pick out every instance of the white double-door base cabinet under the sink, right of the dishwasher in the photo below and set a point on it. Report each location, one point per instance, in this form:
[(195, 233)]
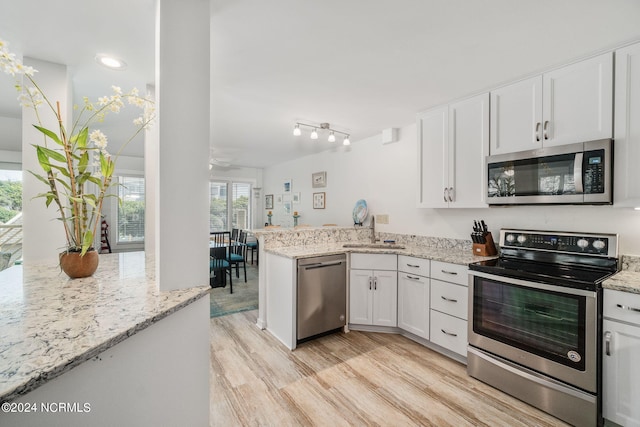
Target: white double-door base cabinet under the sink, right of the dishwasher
[(373, 293)]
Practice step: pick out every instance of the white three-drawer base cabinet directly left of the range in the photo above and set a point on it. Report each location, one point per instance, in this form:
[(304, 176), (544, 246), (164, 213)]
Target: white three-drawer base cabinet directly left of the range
[(449, 306)]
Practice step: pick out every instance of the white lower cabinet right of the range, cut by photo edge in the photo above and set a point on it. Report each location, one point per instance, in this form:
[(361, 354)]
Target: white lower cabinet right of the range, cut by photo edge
[(621, 347)]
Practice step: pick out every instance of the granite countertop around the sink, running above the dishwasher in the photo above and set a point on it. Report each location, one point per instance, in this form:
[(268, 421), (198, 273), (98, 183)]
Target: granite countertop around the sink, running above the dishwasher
[(450, 255)]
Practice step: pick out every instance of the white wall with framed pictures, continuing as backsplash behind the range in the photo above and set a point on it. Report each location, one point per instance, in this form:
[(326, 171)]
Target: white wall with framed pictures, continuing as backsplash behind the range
[(386, 177)]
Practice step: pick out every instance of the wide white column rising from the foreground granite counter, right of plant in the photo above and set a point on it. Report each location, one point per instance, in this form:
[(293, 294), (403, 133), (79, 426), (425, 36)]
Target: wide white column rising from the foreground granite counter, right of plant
[(182, 94)]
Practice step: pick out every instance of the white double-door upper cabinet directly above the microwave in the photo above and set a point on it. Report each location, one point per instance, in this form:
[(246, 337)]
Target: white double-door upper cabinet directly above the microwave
[(567, 105)]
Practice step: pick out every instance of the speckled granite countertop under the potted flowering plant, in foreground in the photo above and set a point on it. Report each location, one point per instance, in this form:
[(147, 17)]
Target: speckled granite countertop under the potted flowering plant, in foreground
[(50, 323)]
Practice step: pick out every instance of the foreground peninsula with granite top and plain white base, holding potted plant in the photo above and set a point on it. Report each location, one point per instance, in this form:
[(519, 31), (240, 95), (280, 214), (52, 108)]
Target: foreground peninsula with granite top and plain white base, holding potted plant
[(108, 349)]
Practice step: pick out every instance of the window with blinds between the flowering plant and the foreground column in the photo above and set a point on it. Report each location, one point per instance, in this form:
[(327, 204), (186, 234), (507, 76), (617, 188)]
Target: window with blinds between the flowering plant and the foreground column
[(131, 209)]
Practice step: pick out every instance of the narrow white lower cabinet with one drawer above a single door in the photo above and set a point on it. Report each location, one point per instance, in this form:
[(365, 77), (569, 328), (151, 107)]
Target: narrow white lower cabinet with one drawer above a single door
[(413, 295)]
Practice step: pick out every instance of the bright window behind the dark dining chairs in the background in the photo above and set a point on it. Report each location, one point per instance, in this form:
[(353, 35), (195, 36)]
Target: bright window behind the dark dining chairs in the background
[(230, 205)]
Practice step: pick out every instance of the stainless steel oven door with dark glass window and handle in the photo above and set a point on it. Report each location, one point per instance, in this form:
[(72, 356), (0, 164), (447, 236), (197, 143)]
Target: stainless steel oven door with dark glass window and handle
[(550, 329)]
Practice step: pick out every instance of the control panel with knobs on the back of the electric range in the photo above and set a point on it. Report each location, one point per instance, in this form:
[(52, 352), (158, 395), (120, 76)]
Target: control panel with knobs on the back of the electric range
[(577, 243)]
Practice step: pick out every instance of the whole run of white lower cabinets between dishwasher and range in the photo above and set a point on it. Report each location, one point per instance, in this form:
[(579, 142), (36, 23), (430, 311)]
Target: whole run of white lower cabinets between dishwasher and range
[(423, 297)]
